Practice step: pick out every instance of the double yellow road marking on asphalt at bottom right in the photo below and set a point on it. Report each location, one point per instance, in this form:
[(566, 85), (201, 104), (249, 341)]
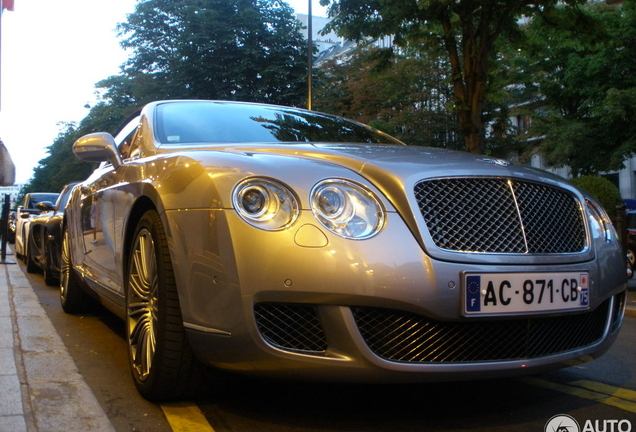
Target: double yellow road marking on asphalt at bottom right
[(614, 396)]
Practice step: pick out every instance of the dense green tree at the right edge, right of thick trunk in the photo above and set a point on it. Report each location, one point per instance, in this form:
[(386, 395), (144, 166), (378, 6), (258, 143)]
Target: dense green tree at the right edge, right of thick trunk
[(583, 67)]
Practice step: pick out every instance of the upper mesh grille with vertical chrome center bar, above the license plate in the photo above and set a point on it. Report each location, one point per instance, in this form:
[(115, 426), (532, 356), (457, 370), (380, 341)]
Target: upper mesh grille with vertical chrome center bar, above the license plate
[(498, 215)]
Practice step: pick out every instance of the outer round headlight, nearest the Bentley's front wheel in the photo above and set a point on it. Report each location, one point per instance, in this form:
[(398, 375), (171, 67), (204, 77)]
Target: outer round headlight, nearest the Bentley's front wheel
[(265, 204)]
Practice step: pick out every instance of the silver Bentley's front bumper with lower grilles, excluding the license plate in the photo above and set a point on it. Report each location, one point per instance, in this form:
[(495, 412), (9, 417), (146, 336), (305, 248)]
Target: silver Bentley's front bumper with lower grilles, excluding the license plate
[(306, 304)]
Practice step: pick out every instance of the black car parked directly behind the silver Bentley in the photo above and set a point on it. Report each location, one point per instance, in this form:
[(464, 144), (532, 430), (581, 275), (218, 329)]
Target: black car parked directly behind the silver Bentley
[(45, 238)]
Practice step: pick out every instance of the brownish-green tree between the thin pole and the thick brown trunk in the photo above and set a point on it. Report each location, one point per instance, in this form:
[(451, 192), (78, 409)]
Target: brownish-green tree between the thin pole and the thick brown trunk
[(403, 95)]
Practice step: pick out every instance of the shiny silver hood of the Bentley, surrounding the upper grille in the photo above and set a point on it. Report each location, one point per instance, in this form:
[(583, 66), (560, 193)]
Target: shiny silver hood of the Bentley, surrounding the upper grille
[(392, 170)]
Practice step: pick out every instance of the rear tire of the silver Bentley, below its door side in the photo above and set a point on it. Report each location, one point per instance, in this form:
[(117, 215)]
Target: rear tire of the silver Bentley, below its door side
[(73, 298)]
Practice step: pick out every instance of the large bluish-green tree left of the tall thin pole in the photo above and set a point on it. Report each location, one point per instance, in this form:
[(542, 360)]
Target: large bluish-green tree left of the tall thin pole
[(249, 50)]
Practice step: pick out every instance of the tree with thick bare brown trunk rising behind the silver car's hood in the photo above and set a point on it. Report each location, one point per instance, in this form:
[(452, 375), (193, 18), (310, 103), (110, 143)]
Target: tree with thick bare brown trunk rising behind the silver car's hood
[(467, 29)]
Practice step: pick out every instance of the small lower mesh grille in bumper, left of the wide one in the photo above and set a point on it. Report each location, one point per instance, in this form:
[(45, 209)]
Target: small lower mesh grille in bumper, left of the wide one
[(293, 327)]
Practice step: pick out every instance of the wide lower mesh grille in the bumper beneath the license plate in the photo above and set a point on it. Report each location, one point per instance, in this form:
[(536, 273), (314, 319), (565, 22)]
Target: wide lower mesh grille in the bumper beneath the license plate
[(406, 337)]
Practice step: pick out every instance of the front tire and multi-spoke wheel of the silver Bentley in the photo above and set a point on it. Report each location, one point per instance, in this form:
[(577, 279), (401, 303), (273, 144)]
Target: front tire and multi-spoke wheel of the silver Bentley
[(160, 358)]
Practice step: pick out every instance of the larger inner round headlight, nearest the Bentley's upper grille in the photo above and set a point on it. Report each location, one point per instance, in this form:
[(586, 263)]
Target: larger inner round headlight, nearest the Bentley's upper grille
[(347, 209)]
